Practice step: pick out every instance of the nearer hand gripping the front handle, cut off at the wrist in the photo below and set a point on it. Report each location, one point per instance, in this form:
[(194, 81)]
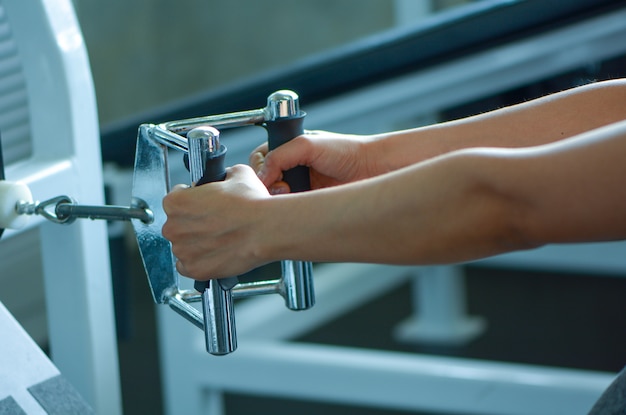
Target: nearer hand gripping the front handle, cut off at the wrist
[(217, 228)]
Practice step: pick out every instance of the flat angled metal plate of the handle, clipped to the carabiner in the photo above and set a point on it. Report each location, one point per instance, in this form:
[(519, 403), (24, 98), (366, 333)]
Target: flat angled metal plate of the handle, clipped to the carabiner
[(150, 185)]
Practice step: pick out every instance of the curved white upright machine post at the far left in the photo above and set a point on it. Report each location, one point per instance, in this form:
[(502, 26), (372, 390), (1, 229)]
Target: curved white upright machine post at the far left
[(66, 160)]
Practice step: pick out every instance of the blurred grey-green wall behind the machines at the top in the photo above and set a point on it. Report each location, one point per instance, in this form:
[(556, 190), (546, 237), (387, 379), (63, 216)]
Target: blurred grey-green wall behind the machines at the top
[(146, 53)]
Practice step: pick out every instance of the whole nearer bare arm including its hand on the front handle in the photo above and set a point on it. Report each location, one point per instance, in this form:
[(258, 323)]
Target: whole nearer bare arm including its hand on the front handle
[(460, 206)]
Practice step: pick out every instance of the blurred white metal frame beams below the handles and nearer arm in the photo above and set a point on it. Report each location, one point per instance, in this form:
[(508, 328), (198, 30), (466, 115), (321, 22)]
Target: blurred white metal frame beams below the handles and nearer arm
[(268, 363)]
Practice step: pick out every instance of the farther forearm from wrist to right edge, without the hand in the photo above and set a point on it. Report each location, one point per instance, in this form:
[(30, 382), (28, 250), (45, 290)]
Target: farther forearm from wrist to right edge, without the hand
[(532, 123)]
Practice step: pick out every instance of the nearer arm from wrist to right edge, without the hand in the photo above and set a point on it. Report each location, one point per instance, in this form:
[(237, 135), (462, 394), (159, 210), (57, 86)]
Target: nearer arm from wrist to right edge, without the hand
[(462, 206)]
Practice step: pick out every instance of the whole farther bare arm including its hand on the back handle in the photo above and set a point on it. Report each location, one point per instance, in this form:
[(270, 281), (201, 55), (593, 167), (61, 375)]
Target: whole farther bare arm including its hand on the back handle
[(337, 159)]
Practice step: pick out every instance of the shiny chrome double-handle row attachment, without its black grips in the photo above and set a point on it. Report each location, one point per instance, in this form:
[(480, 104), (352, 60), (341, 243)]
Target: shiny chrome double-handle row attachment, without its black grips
[(199, 138)]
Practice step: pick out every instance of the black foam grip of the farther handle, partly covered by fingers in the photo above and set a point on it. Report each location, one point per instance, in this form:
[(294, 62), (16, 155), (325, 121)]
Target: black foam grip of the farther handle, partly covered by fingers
[(278, 133)]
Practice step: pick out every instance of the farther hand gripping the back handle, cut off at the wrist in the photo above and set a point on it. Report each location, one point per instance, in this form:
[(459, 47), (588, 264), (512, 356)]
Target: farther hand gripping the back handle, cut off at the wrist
[(333, 158)]
